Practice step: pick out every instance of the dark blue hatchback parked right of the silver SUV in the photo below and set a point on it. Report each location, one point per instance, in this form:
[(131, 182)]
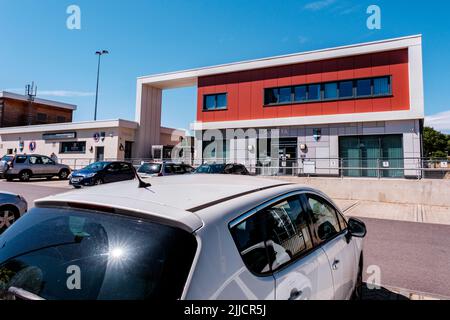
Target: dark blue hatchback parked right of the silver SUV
[(102, 172)]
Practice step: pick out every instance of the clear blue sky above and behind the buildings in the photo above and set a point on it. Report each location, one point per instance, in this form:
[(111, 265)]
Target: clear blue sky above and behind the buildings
[(147, 37)]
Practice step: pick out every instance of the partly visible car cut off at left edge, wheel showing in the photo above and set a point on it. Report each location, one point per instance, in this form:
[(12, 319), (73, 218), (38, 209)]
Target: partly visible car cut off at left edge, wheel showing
[(12, 207)]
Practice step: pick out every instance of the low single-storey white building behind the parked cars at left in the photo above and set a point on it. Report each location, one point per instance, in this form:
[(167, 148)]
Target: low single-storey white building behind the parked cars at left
[(80, 143)]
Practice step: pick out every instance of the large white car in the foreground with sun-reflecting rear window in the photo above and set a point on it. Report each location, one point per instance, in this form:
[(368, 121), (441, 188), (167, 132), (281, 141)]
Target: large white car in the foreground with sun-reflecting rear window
[(185, 237)]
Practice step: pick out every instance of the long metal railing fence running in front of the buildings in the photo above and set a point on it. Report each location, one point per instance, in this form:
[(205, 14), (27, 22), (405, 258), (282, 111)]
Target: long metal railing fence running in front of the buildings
[(339, 167)]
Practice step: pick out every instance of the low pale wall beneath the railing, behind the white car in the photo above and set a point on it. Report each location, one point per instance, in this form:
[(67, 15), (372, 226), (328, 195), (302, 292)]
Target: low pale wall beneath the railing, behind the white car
[(425, 192)]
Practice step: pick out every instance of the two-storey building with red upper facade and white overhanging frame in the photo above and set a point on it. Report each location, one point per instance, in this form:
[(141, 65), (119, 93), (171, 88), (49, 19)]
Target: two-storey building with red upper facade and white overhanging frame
[(345, 110)]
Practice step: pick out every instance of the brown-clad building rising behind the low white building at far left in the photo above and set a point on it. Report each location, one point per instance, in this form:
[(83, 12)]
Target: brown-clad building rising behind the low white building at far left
[(18, 110)]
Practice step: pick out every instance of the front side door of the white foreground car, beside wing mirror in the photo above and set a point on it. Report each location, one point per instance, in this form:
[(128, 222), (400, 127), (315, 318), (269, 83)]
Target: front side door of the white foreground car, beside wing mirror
[(329, 234)]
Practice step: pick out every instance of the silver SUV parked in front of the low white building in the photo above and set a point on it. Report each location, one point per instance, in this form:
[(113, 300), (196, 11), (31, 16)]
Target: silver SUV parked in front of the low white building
[(24, 167)]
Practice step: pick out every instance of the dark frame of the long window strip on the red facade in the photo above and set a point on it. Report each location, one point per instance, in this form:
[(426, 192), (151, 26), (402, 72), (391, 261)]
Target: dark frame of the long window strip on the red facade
[(322, 98)]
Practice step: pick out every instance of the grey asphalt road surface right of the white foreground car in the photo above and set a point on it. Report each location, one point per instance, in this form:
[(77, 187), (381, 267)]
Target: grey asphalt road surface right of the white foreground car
[(410, 255)]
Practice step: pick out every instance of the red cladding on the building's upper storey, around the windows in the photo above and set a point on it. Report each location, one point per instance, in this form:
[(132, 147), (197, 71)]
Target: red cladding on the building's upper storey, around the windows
[(246, 89)]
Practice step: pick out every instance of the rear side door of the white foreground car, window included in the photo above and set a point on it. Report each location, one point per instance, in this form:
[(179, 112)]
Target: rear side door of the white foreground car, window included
[(301, 270)]
